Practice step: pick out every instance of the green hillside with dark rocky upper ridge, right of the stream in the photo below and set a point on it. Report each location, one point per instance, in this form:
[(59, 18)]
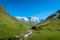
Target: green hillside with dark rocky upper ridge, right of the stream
[(49, 29)]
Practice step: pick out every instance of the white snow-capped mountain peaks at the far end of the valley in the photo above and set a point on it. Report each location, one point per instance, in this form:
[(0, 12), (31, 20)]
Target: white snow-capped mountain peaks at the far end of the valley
[(31, 19)]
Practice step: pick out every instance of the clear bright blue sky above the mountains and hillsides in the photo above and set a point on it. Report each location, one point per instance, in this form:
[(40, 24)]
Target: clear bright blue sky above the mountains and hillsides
[(26, 8)]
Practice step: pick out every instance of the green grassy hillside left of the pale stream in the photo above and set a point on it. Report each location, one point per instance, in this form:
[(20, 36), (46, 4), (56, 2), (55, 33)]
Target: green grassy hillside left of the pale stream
[(10, 26)]
